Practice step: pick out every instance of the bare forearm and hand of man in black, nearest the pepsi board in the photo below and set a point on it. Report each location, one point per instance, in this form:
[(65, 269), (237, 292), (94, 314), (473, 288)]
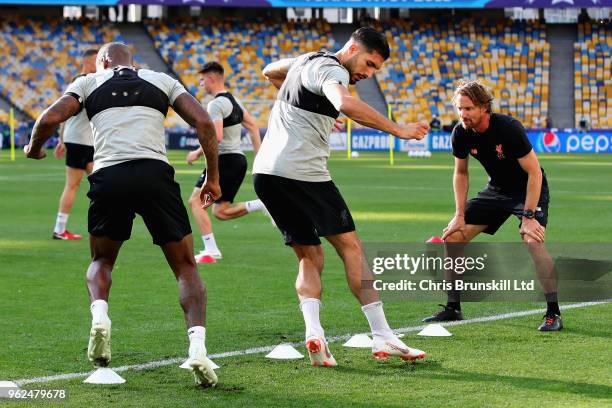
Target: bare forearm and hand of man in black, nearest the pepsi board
[(530, 164)]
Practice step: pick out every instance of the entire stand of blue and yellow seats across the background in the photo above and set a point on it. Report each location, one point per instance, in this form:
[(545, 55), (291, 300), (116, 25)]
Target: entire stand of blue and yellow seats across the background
[(512, 57)]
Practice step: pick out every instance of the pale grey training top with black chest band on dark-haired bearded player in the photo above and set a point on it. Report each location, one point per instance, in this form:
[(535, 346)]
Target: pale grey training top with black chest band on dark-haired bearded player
[(296, 144)]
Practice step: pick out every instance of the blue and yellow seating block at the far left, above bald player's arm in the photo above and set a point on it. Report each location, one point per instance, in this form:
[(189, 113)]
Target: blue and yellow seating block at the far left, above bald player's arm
[(40, 57)]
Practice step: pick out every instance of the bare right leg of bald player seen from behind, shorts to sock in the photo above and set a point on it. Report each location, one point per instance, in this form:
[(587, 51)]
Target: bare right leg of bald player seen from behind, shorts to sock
[(192, 292)]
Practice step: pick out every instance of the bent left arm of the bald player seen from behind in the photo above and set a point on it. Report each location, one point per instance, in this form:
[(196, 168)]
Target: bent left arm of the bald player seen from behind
[(47, 122)]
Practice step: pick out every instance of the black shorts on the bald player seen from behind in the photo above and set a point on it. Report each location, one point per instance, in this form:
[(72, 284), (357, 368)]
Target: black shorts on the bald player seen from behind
[(144, 187)]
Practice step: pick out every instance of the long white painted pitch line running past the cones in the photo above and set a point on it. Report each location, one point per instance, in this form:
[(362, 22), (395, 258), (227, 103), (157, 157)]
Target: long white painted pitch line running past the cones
[(257, 350)]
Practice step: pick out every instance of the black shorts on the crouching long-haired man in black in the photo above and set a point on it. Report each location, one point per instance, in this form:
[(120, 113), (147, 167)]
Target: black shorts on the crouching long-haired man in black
[(491, 207)]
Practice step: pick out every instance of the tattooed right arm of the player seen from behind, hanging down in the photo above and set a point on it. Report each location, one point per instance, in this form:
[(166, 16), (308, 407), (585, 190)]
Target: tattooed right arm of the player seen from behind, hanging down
[(195, 115)]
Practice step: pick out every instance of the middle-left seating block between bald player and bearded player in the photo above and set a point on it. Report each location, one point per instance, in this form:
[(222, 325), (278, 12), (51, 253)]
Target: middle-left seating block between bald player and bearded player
[(243, 47)]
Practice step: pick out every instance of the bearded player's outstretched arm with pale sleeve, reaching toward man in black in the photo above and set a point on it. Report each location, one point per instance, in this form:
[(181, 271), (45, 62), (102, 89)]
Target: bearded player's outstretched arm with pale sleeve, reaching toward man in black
[(364, 114)]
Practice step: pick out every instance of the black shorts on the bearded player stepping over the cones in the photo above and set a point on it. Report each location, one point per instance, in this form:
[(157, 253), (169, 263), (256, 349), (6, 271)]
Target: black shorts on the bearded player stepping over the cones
[(303, 210)]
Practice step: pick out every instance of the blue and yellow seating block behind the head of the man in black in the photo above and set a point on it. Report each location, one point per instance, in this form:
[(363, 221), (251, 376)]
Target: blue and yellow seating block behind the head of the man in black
[(510, 57)]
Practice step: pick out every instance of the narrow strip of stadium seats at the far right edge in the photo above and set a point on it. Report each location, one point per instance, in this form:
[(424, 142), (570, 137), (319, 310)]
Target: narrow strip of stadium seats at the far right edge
[(593, 75)]
